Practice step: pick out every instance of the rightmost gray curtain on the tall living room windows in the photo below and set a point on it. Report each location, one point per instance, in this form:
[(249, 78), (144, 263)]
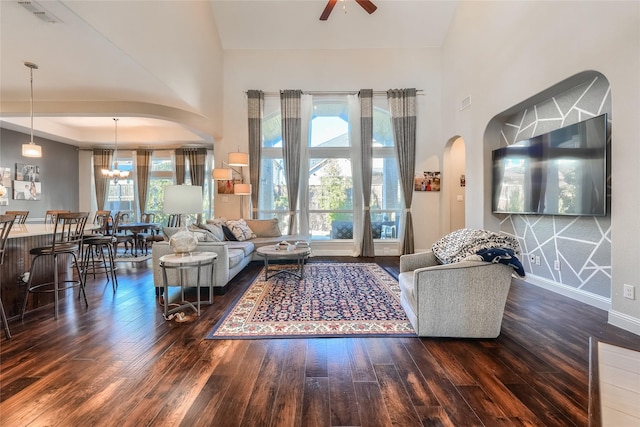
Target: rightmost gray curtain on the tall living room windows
[(402, 105)]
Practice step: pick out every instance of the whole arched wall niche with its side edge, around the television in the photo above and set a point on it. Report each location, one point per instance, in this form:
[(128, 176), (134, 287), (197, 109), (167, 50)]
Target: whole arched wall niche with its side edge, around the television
[(582, 245)]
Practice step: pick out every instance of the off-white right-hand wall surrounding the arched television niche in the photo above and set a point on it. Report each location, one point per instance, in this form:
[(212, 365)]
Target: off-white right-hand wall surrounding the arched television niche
[(502, 53)]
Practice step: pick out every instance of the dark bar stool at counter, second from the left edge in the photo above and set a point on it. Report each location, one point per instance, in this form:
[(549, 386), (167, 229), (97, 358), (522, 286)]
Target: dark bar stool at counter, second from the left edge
[(67, 237)]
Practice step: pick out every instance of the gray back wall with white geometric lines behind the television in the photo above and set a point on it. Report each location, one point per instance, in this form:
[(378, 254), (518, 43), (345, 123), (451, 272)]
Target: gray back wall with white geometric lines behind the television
[(581, 244)]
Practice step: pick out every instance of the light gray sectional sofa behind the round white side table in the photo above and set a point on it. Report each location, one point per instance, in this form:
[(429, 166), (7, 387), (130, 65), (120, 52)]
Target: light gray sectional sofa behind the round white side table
[(233, 256)]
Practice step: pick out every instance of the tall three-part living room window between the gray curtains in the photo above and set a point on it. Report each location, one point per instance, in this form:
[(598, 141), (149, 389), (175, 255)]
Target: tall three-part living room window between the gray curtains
[(327, 198)]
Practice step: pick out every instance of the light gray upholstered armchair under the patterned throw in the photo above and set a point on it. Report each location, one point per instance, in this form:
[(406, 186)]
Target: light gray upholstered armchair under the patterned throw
[(463, 299)]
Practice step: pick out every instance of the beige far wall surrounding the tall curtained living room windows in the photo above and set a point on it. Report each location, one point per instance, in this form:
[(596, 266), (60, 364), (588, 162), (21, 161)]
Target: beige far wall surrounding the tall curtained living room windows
[(348, 70)]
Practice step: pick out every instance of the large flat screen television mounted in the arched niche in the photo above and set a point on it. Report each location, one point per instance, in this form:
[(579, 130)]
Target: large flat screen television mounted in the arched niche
[(562, 172)]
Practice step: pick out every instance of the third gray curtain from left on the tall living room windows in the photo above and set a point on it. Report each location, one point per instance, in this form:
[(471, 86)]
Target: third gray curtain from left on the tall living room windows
[(366, 149)]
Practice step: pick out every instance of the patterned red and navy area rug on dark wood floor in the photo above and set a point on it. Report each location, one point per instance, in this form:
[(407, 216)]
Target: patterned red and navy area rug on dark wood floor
[(333, 300)]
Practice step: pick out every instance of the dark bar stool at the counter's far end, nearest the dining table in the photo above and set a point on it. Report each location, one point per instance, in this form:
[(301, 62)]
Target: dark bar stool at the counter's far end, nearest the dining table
[(94, 259)]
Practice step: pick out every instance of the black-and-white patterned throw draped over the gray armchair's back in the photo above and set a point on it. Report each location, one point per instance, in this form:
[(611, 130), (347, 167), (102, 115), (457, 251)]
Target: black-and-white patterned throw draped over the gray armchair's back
[(459, 244)]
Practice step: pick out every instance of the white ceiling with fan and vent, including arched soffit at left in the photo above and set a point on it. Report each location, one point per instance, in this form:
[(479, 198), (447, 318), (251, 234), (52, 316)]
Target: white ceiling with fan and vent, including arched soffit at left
[(150, 59)]
